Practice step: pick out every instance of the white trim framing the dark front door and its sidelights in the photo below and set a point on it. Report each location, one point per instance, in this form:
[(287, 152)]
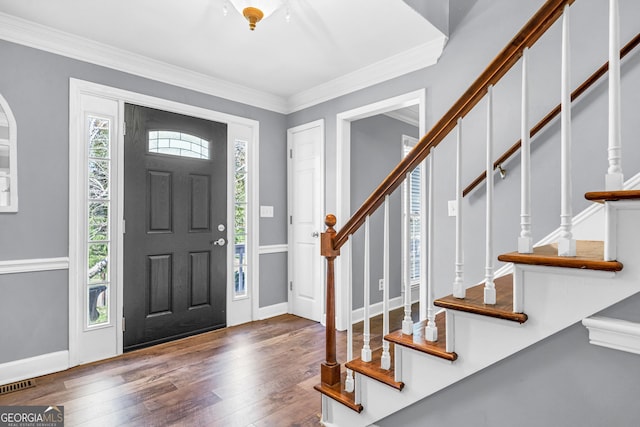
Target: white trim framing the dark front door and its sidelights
[(77, 88)]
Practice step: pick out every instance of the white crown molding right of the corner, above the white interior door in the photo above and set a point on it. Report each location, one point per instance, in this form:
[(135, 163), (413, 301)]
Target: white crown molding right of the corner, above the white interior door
[(413, 59)]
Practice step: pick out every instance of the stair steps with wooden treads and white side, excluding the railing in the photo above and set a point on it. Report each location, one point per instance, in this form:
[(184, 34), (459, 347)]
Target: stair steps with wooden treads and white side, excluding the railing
[(557, 292)]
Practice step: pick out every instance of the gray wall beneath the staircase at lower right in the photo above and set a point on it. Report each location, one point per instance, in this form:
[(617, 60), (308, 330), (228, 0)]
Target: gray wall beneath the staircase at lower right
[(560, 381)]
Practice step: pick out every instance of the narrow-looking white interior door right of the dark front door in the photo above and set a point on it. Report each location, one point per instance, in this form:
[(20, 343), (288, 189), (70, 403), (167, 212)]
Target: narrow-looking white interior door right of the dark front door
[(306, 213)]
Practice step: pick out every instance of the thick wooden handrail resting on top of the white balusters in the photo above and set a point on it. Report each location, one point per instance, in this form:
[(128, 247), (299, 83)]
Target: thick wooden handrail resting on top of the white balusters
[(502, 63)]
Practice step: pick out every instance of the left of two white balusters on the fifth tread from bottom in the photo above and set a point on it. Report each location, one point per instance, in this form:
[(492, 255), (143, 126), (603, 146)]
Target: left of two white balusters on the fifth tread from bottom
[(525, 241)]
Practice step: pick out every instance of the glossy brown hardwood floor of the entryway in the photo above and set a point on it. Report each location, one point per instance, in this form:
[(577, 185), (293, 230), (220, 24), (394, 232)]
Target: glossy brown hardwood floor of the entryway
[(258, 374)]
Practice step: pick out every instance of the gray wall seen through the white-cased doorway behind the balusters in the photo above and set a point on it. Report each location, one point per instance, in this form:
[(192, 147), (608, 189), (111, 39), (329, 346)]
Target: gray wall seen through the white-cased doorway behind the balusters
[(376, 147)]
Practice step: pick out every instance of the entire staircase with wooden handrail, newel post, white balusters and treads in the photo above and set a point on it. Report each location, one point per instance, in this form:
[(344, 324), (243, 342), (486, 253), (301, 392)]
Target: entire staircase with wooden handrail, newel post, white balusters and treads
[(541, 291)]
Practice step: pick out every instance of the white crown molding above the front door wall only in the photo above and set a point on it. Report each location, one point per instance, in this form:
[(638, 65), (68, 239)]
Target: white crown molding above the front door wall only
[(41, 37)]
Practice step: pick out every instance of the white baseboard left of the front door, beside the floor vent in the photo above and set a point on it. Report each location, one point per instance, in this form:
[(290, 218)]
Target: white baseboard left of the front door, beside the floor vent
[(32, 367)]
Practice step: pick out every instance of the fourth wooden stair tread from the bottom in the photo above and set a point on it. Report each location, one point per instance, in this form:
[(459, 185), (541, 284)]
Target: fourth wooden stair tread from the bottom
[(473, 302)]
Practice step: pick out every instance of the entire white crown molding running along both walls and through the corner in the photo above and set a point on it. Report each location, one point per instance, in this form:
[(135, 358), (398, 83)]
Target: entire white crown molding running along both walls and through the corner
[(45, 38)]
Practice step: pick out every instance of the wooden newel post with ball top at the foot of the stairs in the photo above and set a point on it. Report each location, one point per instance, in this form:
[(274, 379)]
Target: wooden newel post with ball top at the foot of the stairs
[(330, 368)]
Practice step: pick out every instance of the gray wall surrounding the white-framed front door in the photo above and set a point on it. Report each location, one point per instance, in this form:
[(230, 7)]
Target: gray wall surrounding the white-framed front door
[(36, 86)]
